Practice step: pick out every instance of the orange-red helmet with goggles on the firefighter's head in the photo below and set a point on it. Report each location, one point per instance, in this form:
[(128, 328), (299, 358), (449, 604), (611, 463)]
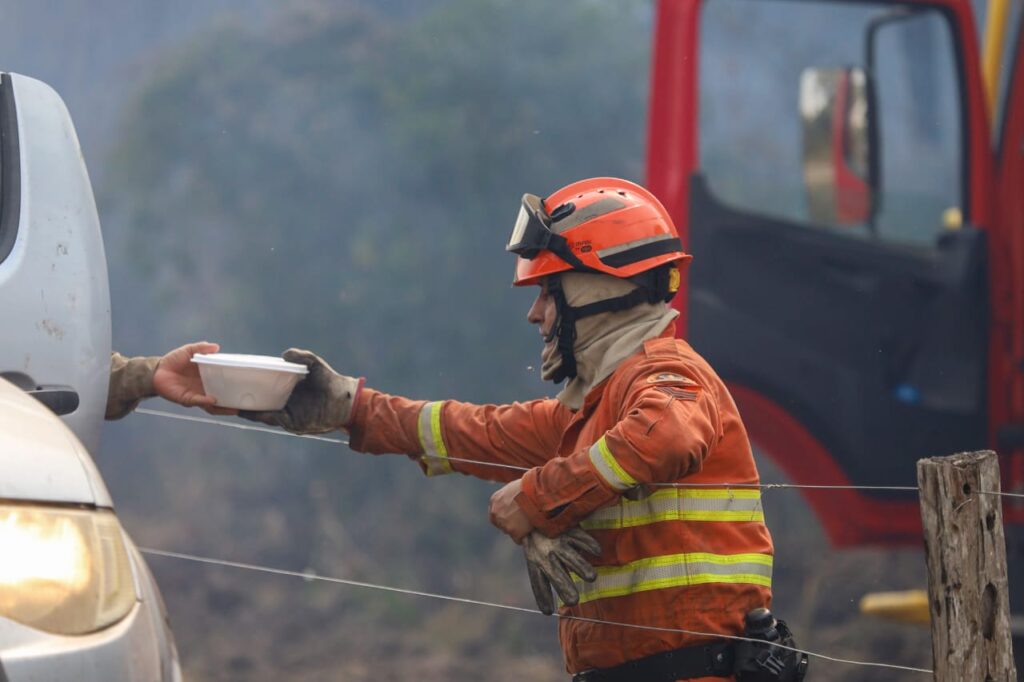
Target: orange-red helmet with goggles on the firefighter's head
[(604, 225)]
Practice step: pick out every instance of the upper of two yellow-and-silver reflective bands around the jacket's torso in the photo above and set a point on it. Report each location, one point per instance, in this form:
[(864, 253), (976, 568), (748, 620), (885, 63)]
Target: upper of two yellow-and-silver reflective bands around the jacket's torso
[(680, 505)]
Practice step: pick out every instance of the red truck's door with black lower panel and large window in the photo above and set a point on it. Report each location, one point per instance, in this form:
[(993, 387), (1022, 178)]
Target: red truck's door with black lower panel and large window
[(835, 201)]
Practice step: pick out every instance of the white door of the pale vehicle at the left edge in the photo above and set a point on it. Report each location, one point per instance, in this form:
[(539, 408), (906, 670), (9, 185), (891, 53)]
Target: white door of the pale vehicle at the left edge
[(55, 303)]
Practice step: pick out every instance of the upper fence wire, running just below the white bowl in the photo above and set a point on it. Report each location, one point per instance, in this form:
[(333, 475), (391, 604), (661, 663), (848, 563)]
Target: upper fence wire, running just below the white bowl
[(680, 485)]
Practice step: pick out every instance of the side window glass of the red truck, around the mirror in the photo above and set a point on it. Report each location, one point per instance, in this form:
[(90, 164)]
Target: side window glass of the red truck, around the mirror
[(754, 56)]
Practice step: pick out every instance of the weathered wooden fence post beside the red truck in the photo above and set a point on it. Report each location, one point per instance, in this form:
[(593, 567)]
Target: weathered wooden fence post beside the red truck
[(966, 552)]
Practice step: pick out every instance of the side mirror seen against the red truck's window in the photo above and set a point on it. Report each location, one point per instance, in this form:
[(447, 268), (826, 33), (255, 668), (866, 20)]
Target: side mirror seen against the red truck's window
[(835, 109)]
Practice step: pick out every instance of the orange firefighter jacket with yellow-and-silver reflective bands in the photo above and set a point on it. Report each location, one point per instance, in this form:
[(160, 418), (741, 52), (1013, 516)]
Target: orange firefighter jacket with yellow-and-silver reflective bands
[(695, 558)]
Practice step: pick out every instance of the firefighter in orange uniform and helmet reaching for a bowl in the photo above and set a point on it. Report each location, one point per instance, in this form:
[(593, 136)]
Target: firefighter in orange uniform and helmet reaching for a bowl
[(636, 451)]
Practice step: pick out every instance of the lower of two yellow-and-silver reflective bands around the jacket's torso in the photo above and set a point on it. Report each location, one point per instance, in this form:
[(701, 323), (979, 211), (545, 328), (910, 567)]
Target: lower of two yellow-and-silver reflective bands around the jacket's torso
[(676, 571)]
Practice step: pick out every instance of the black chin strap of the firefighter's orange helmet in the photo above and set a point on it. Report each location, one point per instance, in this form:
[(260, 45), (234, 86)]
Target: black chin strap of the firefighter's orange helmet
[(652, 288)]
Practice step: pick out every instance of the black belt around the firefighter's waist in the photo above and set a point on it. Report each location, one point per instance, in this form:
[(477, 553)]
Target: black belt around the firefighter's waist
[(691, 662)]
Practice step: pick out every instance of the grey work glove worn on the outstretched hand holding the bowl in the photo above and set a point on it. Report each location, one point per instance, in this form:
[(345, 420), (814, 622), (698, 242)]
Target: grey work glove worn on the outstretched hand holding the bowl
[(321, 403)]
